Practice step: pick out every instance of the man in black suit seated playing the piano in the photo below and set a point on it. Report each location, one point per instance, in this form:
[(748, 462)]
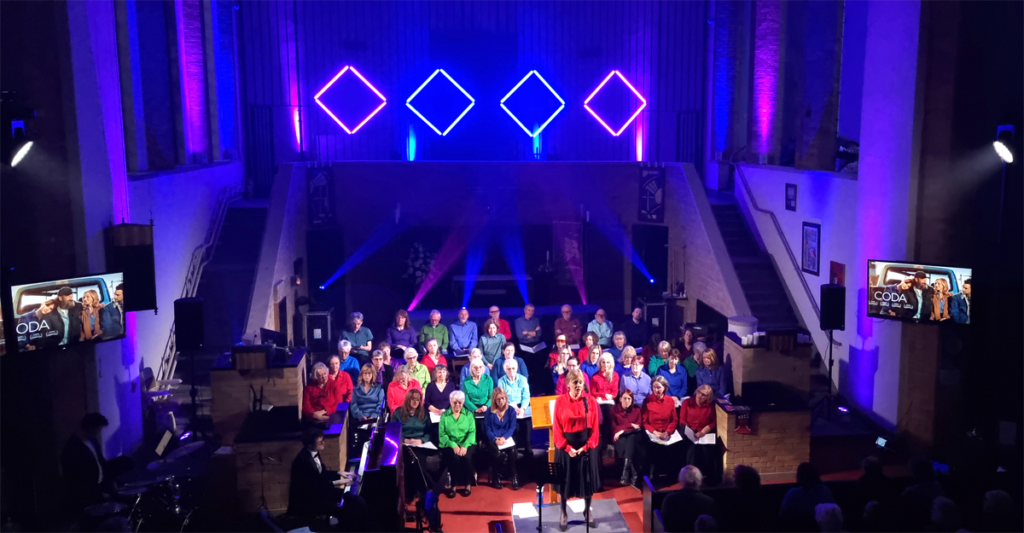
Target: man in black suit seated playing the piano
[(317, 493)]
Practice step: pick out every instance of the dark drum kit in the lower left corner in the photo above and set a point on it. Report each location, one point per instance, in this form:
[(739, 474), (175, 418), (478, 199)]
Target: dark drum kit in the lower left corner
[(160, 499)]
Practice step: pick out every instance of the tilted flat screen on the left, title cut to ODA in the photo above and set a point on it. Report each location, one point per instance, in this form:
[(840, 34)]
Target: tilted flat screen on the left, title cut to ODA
[(67, 313)]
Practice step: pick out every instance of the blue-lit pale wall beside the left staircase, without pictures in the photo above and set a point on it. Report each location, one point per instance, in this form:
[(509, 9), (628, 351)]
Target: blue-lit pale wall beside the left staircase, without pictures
[(182, 206)]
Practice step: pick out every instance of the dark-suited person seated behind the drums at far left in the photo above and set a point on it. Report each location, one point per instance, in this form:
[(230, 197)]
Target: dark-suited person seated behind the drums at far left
[(88, 475)]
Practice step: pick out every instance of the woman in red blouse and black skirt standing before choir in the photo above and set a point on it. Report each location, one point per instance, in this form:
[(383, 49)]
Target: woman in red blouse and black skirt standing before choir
[(577, 439)]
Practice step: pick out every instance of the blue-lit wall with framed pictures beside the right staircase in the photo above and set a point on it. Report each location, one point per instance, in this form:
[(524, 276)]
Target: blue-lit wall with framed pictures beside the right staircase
[(824, 198)]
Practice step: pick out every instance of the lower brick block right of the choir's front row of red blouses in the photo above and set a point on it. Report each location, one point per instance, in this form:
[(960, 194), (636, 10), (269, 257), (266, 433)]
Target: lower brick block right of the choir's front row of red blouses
[(780, 442)]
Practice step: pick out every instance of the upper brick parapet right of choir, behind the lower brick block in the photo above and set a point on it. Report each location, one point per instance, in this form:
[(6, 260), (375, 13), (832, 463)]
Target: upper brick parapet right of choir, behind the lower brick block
[(749, 365)]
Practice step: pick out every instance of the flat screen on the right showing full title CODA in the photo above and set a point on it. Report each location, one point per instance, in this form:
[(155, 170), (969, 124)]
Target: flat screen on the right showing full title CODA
[(926, 294)]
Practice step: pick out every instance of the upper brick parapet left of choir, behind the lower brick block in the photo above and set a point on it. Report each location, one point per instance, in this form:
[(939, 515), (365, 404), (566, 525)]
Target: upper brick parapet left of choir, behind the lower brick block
[(232, 395)]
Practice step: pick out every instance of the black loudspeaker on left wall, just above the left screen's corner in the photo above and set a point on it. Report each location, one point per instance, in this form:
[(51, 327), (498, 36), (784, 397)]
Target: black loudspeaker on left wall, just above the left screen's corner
[(130, 251)]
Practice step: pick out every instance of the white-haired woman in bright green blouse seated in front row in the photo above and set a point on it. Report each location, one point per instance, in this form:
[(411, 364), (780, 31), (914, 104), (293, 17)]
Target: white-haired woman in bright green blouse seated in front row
[(458, 445)]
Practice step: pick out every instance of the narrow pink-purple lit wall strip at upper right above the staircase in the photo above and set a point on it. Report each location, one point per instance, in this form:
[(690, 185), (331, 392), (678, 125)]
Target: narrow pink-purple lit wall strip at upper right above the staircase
[(767, 64)]
